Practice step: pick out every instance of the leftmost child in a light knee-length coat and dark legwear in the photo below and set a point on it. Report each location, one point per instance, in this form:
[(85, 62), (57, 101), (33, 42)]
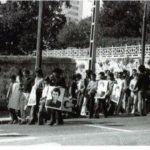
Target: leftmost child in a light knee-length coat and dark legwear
[(13, 96)]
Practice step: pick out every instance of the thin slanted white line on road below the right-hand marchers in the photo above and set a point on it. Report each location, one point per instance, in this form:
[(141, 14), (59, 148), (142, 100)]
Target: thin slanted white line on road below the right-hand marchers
[(108, 128)]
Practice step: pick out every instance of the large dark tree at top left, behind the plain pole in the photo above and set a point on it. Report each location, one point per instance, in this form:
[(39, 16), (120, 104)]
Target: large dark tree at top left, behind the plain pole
[(18, 25)]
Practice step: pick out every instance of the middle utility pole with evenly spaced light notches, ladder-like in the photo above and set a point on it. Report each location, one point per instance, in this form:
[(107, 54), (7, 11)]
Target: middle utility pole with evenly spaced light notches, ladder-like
[(93, 35)]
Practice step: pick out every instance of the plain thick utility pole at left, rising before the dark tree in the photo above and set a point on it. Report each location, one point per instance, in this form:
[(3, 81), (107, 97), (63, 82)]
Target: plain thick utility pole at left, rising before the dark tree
[(39, 37)]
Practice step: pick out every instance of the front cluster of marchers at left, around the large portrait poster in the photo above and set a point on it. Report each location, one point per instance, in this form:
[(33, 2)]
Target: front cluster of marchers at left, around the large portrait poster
[(27, 95)]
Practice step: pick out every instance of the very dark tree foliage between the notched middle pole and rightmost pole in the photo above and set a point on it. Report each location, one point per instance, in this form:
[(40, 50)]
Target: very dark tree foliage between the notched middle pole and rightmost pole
[(121, 18)]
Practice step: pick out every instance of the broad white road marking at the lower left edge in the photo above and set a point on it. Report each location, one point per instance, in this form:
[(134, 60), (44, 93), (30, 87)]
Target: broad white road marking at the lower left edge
[(17, 139)]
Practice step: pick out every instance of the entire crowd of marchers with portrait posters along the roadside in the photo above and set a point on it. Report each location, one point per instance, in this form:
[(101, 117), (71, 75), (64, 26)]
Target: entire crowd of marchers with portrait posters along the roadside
[(87, 97)]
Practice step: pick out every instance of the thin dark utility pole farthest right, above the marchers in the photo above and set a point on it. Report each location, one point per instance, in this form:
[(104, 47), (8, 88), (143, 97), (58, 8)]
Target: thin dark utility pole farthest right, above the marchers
[(144, 32)]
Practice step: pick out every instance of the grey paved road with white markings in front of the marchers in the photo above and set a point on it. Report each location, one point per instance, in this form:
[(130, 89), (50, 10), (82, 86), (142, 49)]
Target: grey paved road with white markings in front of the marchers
[(102, 131)]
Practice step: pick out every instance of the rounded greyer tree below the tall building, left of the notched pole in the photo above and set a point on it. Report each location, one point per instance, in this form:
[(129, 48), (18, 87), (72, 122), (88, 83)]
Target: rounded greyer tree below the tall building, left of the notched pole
[(75, 35)]
